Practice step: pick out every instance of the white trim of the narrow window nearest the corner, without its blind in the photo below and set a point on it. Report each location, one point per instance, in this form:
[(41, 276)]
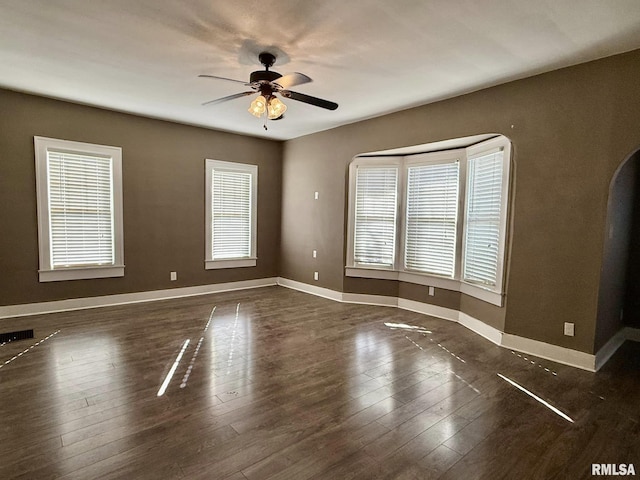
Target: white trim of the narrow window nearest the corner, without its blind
[(210, 263)]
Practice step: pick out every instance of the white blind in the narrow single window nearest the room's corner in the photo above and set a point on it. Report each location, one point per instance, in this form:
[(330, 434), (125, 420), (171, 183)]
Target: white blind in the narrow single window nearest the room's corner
[(231, 204)]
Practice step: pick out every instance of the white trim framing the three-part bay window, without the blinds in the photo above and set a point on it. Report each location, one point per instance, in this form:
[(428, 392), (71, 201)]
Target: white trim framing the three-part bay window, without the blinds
[(456, 283)]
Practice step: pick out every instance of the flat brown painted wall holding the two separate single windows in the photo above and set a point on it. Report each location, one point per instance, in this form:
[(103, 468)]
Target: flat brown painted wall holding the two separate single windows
[(163, 195)]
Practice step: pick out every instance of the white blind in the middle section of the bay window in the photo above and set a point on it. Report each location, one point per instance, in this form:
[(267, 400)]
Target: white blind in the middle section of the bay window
[(431, 218)]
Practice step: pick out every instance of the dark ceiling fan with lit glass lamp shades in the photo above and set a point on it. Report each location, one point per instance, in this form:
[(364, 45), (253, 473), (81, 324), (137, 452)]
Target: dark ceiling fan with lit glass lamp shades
[(268, 83)]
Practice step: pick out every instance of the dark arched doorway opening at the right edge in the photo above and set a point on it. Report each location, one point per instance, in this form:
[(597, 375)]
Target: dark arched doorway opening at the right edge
[(619, 294)]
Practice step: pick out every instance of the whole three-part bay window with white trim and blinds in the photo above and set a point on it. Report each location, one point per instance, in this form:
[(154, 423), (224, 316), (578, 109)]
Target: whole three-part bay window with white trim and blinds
[(451, 228)]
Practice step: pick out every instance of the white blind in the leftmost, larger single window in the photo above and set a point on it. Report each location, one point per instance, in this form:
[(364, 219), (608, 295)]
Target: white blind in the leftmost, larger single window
[(81, 221)]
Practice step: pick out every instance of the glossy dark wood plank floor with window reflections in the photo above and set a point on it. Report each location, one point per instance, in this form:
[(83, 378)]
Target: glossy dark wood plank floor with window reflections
[(284, 385)]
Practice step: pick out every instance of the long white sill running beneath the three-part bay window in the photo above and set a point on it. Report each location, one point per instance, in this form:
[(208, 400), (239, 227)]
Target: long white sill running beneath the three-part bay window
[(455, 285)]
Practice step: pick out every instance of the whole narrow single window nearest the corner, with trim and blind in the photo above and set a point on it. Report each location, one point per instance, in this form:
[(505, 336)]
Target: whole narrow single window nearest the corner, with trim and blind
[(231, 203)]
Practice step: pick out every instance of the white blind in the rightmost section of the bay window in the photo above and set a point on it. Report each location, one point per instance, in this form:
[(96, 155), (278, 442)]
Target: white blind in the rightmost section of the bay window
[(483, 219)]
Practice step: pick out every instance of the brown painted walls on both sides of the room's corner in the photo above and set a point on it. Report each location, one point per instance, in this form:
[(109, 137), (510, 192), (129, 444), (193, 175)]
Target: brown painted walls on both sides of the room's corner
[(570, 130)]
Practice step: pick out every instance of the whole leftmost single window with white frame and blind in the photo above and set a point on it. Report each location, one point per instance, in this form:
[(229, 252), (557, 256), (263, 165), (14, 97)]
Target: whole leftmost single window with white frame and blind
[(79, 188)]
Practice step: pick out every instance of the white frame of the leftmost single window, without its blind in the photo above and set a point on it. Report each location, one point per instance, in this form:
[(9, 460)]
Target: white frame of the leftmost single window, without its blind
[(47, 272)]
